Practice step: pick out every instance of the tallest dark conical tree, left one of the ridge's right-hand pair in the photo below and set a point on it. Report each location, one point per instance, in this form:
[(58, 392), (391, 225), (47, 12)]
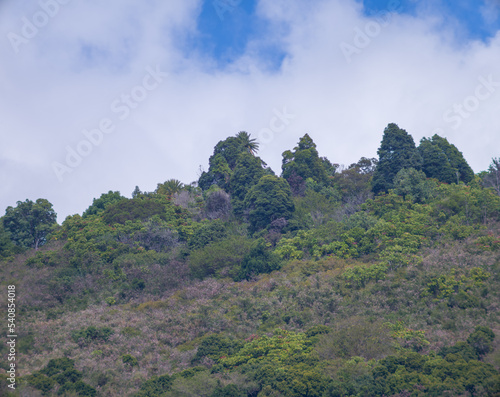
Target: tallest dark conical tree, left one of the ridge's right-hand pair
[(397, 151)]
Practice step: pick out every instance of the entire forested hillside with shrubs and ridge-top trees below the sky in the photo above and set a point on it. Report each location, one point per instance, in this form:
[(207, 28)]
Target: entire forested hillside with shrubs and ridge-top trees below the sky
[(380, 278)]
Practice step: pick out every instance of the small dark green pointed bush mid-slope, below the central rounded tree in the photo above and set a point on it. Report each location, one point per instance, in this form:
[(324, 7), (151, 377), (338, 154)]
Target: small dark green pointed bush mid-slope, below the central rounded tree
[(259, 260)]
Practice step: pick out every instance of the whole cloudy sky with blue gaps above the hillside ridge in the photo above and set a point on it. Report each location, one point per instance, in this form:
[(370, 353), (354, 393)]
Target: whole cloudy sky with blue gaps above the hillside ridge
[(98, 96)]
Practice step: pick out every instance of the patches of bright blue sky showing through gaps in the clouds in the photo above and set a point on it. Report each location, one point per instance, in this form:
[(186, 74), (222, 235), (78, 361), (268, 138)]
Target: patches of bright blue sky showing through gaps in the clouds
[(226, 26)]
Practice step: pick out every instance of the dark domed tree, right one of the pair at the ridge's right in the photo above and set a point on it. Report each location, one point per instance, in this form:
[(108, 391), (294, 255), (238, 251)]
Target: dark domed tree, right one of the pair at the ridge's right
[(443, 161)]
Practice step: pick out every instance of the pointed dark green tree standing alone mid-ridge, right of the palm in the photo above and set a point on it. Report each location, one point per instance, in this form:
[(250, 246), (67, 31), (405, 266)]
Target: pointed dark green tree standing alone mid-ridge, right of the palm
[(304, 162)]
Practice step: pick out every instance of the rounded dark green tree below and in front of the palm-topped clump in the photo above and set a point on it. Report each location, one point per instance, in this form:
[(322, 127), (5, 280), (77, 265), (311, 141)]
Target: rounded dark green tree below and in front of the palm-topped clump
[(269, 199)]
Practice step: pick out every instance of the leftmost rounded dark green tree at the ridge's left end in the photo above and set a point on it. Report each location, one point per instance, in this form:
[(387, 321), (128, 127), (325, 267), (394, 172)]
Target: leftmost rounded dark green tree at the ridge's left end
[(30, 222)]
